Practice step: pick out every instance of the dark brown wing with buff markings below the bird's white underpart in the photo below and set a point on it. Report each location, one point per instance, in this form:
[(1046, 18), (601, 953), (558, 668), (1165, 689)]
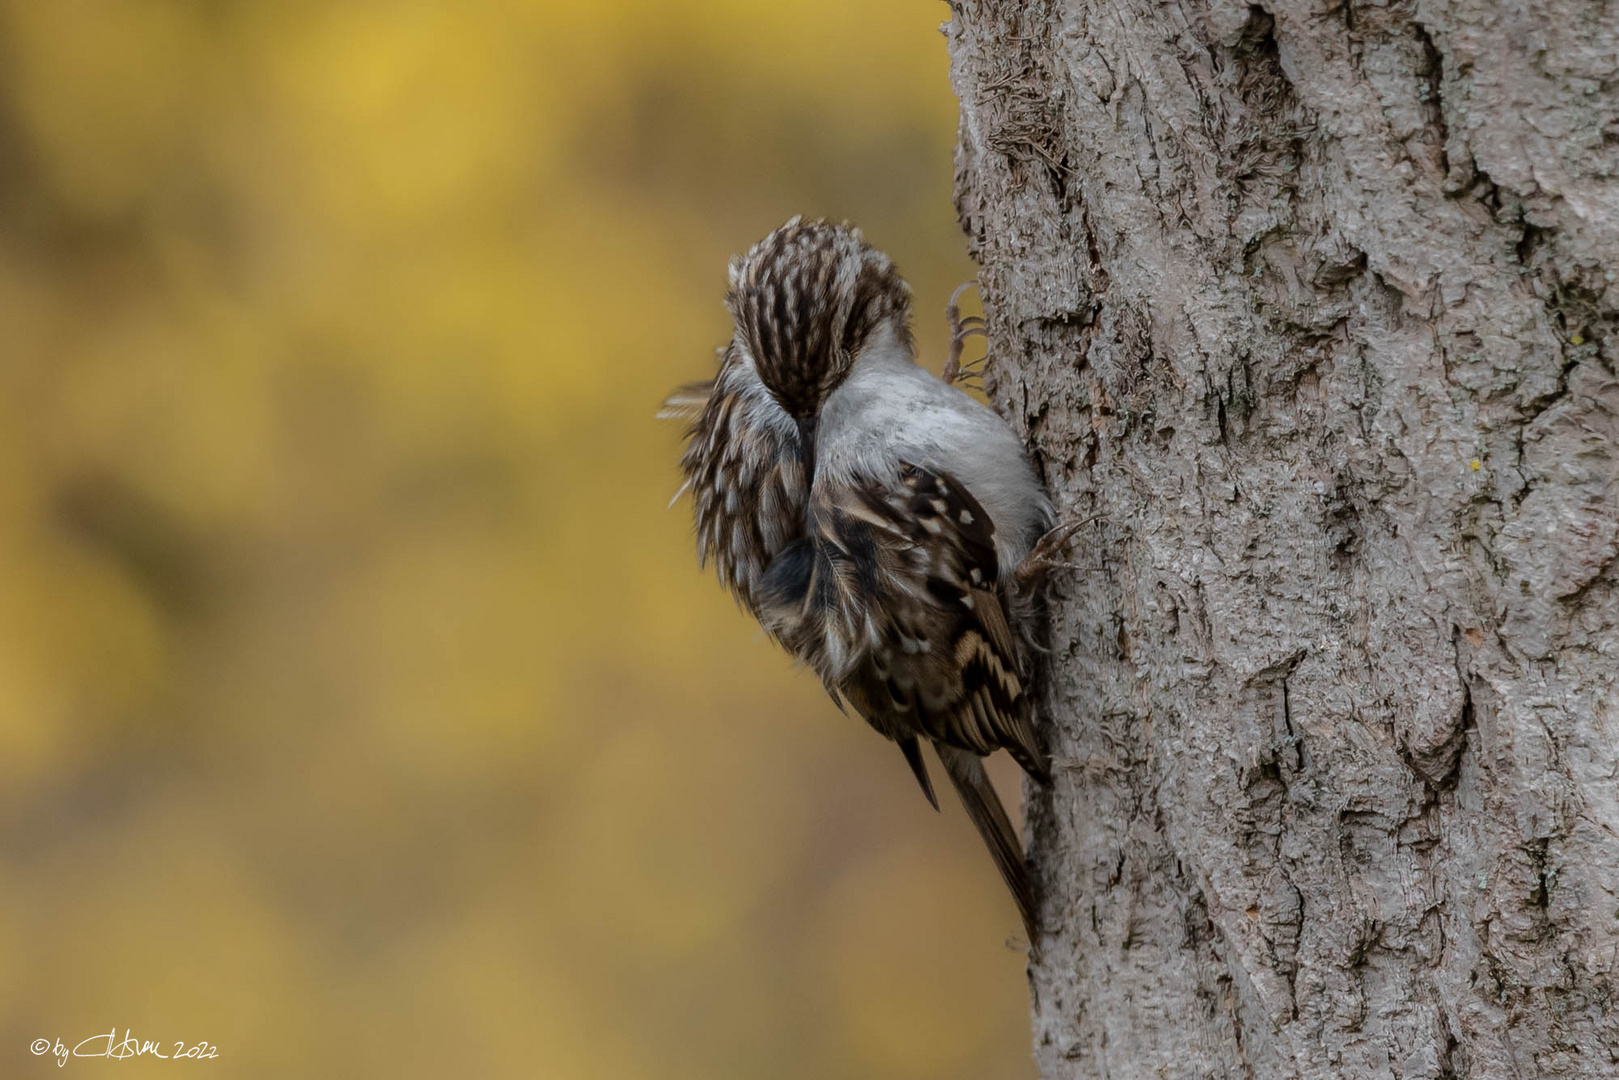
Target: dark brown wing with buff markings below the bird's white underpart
[(896, 600)]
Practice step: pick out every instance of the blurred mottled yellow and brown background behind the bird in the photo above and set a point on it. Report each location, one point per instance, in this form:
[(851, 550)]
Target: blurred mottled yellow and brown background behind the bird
[(362, 707)]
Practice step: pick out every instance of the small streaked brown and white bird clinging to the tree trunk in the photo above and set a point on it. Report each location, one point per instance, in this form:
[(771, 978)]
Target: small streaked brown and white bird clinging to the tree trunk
[(878, 522)]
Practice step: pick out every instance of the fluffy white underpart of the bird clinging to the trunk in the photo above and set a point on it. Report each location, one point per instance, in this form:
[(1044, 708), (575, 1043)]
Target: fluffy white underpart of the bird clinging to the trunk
[(891, 412)]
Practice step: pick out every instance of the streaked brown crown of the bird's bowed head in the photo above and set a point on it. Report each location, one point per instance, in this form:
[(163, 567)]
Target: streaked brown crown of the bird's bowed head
[(805, 299)]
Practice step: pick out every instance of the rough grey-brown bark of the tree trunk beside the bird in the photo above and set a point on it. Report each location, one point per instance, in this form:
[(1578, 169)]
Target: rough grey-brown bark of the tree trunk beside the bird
[(1314, 307)]
